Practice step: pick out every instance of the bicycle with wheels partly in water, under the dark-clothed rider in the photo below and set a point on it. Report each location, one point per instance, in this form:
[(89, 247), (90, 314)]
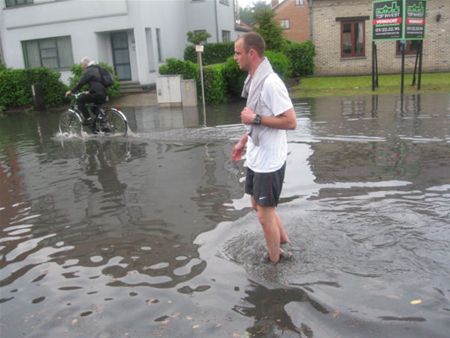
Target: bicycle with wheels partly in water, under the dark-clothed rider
[(108, 120)]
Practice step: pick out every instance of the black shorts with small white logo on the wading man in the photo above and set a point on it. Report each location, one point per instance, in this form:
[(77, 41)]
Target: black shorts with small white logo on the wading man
[(265, 187)]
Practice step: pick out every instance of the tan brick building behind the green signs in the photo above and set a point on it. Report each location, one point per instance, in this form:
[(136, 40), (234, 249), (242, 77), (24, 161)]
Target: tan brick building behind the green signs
[(342, 35)]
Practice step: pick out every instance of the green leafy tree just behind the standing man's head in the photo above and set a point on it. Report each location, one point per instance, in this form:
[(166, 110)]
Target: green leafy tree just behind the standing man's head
[(269, 29)]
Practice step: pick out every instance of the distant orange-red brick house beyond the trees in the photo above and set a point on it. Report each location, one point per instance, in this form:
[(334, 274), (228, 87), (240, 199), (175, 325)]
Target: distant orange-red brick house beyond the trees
[(293, 17)]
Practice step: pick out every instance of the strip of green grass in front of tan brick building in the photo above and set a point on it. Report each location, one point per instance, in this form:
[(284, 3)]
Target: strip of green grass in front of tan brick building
[(362, 85)]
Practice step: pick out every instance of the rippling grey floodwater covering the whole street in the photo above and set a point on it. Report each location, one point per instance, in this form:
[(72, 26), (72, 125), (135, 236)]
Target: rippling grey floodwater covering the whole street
[(152, 235)]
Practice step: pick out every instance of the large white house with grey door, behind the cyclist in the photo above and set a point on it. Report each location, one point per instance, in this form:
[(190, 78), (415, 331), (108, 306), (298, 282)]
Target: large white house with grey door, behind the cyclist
[(135, 36)]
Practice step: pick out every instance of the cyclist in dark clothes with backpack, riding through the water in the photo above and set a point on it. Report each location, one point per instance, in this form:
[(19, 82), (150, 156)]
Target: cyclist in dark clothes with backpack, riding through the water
[(97, 91)]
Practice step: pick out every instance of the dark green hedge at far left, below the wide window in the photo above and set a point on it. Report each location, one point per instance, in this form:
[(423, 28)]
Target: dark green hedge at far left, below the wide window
[(15, 86)]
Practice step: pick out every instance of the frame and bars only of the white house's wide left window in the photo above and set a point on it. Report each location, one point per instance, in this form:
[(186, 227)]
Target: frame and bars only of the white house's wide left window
[(42, 49)]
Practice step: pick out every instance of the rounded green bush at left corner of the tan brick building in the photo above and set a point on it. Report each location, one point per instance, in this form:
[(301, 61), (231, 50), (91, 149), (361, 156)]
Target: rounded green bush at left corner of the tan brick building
[(301, 57)]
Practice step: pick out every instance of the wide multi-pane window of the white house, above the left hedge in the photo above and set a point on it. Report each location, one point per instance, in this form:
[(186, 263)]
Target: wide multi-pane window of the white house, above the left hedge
[(54, 53)]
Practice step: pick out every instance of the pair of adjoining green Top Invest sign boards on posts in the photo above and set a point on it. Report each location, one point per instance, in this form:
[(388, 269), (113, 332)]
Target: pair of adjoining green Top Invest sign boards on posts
[(398, 19)]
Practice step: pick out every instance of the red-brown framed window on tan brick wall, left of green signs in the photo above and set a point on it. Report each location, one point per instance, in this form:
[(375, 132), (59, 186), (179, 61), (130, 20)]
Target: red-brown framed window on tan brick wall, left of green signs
[(352, 38)]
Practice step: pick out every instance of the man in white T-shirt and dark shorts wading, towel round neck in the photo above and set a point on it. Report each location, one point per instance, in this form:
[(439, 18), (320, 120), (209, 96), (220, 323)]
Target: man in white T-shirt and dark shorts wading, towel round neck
[(268, 114)]
